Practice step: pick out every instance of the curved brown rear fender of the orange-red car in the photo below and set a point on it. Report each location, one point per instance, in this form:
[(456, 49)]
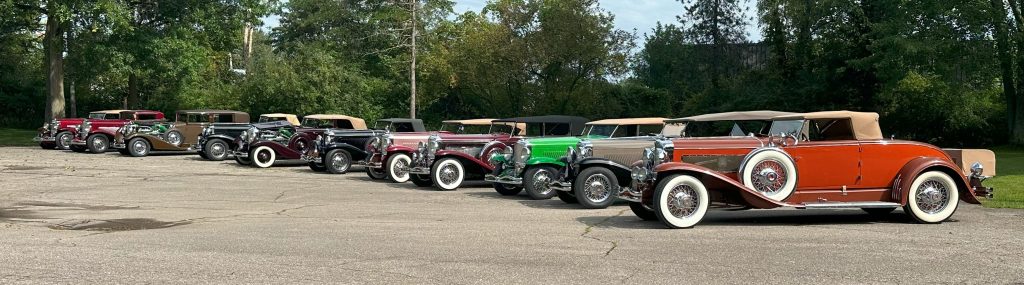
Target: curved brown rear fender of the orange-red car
[(904, 182)]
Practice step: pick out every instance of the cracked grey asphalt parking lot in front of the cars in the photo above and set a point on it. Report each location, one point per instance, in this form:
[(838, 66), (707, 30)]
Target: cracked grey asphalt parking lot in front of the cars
[(69, 218)]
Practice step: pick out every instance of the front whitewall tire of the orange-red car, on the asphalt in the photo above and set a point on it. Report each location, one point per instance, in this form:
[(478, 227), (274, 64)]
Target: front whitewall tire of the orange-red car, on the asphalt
[(681, 201)]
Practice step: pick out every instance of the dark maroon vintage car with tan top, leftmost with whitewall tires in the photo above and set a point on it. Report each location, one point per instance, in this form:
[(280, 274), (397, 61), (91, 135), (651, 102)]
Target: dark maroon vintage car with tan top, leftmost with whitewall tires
[(263, 147)]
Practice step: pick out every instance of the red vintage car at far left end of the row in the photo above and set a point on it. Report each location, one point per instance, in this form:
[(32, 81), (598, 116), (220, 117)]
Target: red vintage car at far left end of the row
[(60, 133)]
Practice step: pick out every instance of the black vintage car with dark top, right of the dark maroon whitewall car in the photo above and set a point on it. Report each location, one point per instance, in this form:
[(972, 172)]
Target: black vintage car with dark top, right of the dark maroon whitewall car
[(337, 150)]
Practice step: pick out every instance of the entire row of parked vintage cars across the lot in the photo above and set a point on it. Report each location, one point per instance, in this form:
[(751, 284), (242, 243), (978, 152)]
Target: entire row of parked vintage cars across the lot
[(673, 171)]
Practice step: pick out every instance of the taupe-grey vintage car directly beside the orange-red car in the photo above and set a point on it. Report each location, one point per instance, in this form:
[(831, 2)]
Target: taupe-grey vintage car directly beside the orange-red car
[(595, 170)]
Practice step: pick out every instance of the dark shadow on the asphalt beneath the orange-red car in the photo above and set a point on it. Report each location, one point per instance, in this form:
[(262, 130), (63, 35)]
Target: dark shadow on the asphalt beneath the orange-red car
[(759, 218)]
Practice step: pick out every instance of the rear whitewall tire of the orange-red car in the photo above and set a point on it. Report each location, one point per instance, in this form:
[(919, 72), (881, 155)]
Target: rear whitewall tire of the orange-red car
[(933, 198)]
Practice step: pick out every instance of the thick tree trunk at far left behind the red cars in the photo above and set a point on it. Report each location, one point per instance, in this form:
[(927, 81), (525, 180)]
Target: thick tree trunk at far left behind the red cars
[(54, 42)]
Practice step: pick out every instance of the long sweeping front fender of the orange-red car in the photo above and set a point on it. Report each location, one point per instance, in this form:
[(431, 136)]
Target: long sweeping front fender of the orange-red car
[(718, 182)]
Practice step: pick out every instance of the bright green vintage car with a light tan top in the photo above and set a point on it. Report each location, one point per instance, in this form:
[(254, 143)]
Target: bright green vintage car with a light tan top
[(534, 164)]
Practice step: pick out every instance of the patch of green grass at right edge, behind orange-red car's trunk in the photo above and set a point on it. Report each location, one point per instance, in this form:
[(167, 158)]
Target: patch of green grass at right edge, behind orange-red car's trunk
[(1009, 179)]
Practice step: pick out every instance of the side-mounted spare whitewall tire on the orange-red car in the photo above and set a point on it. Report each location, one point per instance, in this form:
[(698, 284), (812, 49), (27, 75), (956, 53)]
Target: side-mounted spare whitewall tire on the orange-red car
[(771, 173)]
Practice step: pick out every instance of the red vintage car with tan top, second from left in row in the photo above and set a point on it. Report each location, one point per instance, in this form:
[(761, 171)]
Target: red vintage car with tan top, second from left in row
[(95, 136)]
